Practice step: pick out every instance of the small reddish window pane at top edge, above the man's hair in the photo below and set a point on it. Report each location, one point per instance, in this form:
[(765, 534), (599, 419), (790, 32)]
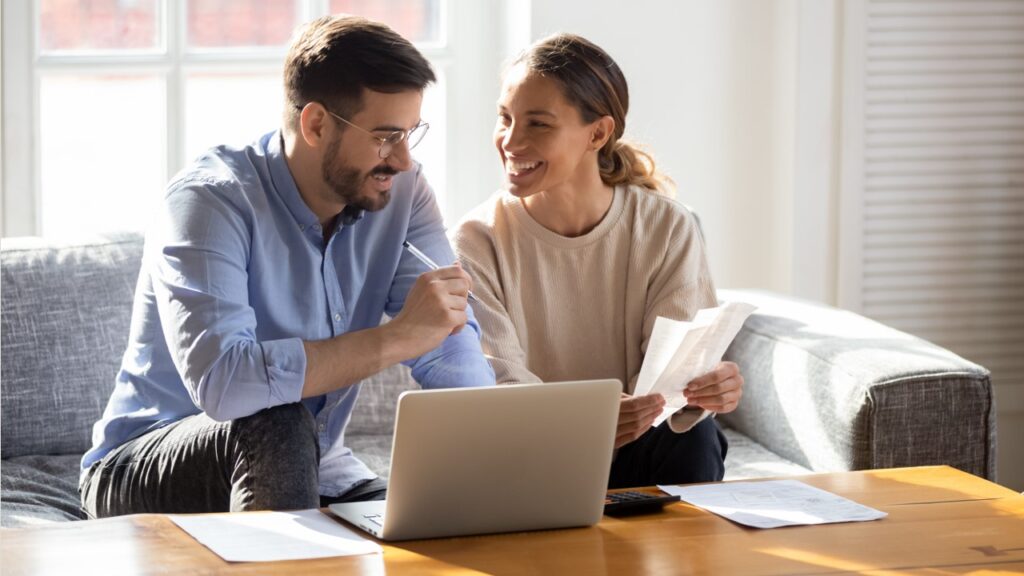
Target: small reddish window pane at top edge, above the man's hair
[(418, 21)]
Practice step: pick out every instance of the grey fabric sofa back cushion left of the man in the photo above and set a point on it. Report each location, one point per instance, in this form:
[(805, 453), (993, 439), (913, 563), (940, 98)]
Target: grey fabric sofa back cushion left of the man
[(66, 313)]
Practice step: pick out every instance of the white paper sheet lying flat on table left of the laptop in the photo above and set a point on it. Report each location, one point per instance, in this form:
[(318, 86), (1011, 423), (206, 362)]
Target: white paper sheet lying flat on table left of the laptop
[(273, 537)]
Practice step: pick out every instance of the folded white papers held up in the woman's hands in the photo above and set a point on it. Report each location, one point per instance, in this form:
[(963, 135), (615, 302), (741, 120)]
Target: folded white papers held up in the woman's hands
[(679, 352)]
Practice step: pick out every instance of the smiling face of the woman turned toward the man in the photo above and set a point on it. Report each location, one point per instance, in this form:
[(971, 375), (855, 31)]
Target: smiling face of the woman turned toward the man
[(542, 141)]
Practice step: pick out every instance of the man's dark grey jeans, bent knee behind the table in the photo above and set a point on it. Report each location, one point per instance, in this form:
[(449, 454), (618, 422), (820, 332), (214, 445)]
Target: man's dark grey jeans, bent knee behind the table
[(268, 462)]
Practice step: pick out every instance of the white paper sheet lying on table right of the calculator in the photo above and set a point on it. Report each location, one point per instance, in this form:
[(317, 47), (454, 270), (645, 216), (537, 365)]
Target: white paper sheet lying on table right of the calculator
[(774, 504)]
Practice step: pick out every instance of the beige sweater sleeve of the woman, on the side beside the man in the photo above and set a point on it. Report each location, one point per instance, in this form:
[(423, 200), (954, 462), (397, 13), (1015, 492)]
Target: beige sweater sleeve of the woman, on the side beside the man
[(478, 253)]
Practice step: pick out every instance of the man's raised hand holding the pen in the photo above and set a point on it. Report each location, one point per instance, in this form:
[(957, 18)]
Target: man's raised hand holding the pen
[(435, 309)]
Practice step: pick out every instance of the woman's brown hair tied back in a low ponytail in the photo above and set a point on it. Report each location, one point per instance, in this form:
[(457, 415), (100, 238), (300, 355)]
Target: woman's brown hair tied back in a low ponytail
[(594, 85)]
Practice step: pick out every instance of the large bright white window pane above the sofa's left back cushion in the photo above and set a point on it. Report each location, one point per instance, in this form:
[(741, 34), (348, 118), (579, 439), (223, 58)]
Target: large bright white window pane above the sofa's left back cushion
[(102, 152)]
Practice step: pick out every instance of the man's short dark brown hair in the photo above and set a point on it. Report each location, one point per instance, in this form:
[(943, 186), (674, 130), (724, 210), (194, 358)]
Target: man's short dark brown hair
[(333, 59)]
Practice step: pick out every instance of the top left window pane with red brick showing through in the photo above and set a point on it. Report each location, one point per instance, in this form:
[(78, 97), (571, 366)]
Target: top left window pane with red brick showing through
[(99, 25)]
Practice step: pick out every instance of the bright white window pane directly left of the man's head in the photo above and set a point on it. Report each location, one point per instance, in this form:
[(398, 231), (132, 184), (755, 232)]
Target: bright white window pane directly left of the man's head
[(230, 109)]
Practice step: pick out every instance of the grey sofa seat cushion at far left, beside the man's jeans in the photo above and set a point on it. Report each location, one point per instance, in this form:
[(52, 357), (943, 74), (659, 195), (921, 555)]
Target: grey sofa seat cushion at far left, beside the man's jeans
[(39, 490)]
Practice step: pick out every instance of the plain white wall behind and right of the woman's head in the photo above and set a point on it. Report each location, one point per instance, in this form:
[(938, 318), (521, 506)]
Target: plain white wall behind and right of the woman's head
[(713, 96)]
